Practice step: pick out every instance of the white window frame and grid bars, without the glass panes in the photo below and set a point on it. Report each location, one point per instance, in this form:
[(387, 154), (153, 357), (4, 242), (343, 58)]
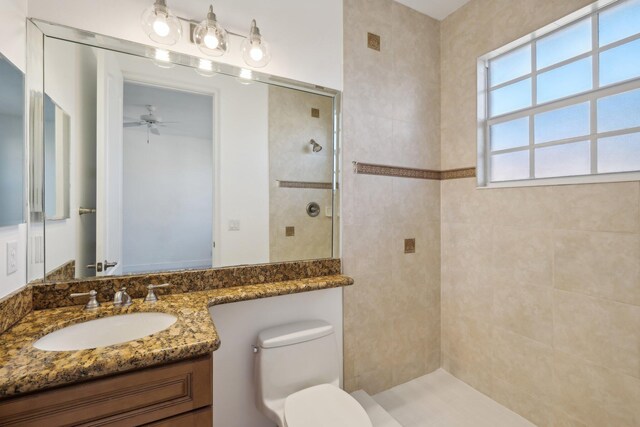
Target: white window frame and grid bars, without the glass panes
[(596, 92)]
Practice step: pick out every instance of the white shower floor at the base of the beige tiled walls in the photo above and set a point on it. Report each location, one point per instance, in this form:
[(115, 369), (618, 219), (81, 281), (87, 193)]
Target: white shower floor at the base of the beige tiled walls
[(440, 399)]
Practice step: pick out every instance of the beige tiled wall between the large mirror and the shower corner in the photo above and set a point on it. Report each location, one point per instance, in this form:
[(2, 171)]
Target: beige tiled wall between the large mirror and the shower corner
[(391, 116)]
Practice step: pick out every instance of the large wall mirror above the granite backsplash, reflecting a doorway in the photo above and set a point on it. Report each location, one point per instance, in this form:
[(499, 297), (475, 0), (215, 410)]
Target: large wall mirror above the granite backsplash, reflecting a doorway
[(155, 161)]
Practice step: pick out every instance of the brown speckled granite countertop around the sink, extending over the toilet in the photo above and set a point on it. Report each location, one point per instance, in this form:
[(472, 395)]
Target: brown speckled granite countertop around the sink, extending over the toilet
[(23, 368)]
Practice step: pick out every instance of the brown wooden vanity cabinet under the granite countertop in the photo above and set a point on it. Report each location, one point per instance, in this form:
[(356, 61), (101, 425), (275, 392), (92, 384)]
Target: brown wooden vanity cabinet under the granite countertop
[(177, 394)]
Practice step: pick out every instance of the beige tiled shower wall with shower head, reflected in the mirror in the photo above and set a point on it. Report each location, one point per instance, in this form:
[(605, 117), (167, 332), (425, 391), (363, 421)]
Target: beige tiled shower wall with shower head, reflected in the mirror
[(291, 126)]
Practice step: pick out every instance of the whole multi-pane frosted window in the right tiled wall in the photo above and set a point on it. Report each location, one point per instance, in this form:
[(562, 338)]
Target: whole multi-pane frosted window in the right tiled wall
[(565, 103)]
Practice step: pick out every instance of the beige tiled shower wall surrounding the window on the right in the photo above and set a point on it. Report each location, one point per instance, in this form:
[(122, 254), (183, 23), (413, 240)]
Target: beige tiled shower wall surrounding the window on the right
[(540, 286)]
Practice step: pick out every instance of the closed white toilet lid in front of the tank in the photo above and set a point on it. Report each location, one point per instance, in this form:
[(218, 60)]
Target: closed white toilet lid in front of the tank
[(324, 405)]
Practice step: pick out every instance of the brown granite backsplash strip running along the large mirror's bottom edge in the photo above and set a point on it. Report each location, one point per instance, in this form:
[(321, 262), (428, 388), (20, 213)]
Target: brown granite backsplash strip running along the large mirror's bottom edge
[(55, 295)]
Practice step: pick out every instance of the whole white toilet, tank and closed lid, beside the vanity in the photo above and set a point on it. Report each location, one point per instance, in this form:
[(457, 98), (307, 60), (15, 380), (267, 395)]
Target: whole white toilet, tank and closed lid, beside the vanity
[(297, 378)]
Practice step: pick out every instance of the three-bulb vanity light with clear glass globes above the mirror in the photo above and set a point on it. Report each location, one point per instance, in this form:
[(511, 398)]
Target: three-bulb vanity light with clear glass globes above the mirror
[(212, 39)]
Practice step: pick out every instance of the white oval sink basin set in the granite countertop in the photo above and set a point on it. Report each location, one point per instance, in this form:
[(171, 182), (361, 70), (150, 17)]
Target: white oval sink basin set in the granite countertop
[(105, 331)]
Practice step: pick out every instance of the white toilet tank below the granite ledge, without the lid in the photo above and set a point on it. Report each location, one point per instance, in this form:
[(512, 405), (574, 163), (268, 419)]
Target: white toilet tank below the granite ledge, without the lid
[(293, 357)]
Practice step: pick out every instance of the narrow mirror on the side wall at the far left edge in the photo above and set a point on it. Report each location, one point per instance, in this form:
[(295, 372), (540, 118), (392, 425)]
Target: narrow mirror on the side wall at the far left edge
[(11, 143)]
